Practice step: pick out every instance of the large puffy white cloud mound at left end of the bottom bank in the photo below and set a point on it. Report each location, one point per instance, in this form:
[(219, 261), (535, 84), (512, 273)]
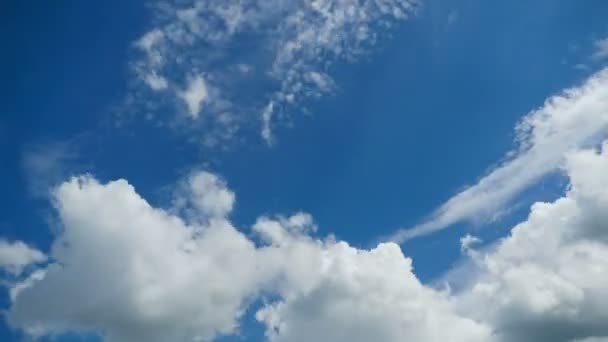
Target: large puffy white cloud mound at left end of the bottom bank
[(136, 273)]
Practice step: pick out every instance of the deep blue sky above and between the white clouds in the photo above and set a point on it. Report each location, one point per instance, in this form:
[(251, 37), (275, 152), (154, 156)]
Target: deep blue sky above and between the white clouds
[(392, 132)]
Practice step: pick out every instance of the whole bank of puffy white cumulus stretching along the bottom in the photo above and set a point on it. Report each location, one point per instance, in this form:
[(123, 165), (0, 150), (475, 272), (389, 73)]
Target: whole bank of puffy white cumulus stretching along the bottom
[(132, 272)]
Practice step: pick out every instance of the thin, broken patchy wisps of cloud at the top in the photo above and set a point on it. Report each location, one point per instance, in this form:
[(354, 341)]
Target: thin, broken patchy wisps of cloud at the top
[(201, 54)]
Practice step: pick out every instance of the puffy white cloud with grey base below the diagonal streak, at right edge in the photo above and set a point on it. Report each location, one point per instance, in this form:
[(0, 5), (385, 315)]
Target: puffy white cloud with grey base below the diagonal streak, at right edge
[(547, 280)]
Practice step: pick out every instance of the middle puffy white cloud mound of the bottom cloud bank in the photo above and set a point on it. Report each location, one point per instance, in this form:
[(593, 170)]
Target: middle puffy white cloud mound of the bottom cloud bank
[(358, 295)]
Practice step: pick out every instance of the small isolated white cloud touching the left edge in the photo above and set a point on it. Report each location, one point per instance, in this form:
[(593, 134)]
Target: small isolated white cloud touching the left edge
[(15, 256)]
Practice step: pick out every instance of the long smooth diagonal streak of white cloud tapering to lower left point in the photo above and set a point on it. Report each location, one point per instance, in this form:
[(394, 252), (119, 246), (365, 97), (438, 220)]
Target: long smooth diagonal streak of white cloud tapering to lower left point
[(575, 118)]
